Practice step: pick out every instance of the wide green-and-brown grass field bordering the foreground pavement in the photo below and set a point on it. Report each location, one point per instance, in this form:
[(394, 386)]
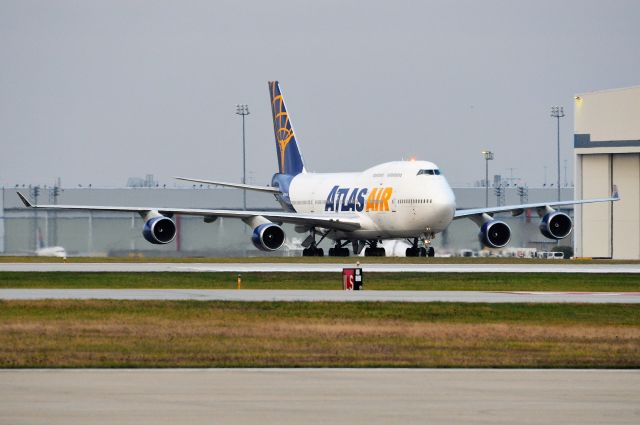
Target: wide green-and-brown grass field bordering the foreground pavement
[(234, 334)]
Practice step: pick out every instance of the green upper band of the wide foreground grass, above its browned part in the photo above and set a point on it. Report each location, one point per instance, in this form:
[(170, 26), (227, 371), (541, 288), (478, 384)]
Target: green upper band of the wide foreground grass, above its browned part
[(236, 311)]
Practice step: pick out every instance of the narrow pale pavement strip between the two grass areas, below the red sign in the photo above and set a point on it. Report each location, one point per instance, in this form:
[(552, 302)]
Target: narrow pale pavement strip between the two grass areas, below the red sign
[(256, 295)]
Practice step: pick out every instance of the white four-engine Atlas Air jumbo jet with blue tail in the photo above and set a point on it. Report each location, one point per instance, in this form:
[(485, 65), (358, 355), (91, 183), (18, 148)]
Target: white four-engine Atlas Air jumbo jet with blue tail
[(409, 200)]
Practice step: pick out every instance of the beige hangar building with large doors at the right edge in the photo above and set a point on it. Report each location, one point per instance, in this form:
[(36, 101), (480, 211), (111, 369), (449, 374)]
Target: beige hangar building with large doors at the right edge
[(607, 149)]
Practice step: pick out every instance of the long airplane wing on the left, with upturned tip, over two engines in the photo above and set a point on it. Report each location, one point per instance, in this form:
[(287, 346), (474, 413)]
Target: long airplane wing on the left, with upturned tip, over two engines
[(329, 221)]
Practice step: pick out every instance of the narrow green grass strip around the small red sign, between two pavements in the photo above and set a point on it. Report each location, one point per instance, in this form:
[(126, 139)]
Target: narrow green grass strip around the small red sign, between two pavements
[(586, 282)]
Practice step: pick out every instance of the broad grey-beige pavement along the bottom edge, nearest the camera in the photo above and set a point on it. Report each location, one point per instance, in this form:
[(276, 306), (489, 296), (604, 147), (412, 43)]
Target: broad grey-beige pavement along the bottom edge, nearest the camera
[(319, 396)]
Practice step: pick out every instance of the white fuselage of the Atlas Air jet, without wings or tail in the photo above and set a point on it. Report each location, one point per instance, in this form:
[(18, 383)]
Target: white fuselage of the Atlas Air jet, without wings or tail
[(402, 199)]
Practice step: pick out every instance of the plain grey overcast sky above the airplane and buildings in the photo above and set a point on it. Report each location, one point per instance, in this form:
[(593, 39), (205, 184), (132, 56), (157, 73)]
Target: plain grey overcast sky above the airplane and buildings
[(99, 91)]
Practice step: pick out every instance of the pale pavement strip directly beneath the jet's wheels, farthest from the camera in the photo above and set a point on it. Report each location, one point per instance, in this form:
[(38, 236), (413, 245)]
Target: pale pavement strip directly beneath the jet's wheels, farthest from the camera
[(319, 267)]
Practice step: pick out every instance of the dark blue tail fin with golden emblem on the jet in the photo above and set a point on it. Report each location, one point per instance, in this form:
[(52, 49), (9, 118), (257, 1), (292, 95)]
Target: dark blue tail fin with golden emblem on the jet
[(289, 157)]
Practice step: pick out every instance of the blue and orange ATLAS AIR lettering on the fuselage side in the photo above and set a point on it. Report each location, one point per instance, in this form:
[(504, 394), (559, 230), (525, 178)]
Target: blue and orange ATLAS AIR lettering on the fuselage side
[(356, 199)]
